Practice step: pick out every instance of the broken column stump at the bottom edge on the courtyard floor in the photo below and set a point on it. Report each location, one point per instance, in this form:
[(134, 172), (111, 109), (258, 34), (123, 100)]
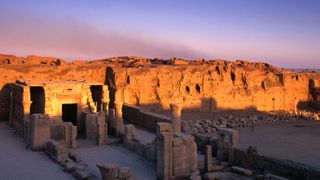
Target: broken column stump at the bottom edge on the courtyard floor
[(113, 172)]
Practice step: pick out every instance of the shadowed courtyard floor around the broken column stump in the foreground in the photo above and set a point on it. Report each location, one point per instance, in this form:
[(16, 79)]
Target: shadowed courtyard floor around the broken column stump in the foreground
[(112, 154)]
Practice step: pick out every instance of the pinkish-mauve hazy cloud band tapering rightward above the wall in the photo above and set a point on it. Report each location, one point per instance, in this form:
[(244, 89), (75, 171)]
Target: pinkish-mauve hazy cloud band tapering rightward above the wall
[(70, 39)]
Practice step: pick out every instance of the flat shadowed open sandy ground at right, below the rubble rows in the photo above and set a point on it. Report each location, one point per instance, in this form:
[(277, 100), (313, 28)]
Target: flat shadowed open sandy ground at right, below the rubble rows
[(297, 141)]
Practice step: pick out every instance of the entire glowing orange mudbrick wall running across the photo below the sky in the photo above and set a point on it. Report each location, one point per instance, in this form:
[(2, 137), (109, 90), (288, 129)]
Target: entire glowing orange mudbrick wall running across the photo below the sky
[(205, 86)]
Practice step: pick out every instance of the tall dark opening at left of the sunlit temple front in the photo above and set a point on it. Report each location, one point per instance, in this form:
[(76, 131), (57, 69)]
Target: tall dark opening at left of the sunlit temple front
[(37, 100)]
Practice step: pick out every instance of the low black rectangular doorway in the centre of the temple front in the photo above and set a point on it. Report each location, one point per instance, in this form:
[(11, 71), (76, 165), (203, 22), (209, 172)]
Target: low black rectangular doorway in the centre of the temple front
[(69, 113)]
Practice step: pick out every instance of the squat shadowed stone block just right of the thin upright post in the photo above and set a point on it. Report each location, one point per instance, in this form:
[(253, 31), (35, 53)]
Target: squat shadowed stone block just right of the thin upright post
[(228, 140)]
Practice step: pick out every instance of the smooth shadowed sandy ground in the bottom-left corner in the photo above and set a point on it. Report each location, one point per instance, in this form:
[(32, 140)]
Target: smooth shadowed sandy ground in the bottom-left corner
[(19, 163)]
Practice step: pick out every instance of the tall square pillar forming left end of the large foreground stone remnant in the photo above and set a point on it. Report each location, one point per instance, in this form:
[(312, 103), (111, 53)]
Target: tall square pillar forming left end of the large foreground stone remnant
[(164, 151)]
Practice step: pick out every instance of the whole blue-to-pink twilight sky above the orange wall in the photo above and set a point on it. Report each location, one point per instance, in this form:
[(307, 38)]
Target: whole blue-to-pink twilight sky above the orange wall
[(285, 33)]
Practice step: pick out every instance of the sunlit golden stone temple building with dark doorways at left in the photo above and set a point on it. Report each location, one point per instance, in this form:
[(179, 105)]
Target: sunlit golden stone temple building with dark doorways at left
[(63, 99)]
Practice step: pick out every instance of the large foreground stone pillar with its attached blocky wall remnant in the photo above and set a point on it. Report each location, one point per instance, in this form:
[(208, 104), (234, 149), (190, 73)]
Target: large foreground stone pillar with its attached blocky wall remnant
[(176, 153)]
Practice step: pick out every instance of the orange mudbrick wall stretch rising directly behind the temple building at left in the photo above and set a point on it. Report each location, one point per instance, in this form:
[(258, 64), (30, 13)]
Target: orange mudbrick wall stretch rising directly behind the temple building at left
[(45, 72)]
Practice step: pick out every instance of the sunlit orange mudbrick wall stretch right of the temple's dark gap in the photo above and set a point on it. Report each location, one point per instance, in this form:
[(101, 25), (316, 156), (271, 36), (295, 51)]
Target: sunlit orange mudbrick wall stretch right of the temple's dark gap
[(213, 87)]
